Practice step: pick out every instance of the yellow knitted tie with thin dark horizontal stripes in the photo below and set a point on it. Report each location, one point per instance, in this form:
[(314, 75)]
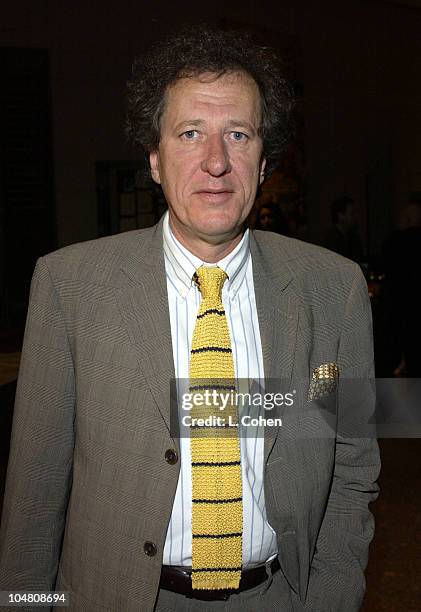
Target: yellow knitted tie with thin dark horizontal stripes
[(217, 507)]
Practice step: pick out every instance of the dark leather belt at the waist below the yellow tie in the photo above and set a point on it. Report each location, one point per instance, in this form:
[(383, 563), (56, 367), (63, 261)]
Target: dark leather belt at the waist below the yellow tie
[(178, 580)]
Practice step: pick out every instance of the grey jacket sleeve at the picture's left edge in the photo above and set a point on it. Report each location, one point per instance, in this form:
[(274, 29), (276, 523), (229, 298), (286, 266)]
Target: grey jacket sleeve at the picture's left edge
[(41, 453)]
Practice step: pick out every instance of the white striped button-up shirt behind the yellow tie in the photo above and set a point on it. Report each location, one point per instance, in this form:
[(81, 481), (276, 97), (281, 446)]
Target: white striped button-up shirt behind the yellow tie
[(259, 539)]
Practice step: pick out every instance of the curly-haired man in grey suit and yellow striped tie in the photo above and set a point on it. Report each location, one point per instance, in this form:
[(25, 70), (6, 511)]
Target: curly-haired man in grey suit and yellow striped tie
[(102, 497)]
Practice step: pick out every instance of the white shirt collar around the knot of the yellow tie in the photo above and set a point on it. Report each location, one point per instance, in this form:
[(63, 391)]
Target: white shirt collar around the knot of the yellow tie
[(182, 264)]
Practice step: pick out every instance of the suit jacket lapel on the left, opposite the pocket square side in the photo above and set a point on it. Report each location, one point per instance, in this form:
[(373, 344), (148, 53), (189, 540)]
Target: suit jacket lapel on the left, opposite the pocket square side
[(143, 303)]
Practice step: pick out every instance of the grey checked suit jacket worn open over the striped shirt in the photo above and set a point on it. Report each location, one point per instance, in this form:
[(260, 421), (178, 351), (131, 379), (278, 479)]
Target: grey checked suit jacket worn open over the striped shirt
[(89, 491)]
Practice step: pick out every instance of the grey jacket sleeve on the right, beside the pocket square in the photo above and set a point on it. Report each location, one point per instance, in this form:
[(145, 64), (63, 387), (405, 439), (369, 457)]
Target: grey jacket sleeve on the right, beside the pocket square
[(337, 570)]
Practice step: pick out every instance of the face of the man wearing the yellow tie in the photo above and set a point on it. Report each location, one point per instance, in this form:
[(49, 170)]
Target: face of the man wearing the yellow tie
[(209, 159)]
